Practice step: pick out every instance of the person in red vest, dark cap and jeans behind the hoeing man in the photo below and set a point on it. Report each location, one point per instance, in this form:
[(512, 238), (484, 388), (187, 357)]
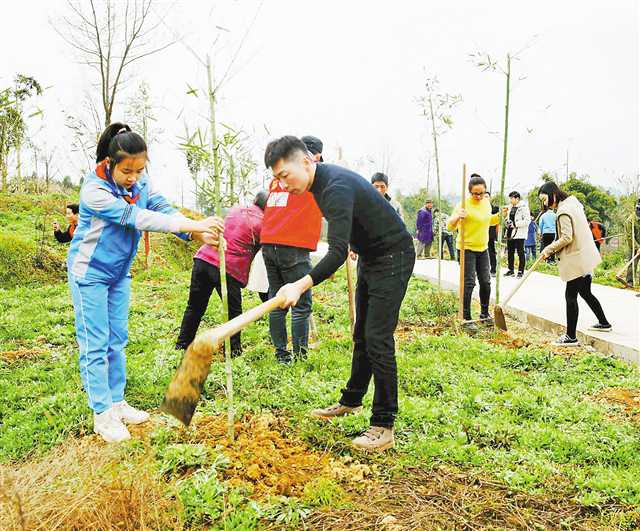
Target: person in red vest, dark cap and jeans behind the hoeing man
[(290, 231)]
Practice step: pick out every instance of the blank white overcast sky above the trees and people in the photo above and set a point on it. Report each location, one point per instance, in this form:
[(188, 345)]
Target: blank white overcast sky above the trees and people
[(350, 73)]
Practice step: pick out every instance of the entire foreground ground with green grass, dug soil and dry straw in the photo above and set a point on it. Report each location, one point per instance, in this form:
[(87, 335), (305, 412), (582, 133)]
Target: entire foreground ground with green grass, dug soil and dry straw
[(494, 431)]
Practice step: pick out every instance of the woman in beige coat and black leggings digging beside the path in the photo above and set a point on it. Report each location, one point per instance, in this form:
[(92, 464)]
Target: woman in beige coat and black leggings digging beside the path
[(578, 257)]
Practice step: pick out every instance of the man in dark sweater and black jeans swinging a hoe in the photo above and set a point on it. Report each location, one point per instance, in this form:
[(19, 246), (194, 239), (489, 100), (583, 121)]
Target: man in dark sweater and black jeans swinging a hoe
[(358, 216)]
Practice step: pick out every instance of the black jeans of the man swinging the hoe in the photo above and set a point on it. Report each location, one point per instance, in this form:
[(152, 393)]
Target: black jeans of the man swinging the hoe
[(382, 284)]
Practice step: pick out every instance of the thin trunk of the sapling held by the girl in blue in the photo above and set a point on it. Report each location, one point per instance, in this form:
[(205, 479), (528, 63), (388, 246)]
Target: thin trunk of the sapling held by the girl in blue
[(221, 248)]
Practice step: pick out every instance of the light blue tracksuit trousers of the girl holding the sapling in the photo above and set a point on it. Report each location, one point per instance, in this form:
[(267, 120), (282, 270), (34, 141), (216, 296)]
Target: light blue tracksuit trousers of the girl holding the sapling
[(102, 312)]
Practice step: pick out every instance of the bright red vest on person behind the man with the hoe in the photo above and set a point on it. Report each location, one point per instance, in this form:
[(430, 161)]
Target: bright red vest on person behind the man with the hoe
[(290, 219)]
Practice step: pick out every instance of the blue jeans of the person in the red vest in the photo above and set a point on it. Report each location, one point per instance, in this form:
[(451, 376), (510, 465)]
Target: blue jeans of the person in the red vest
[(284, 265)]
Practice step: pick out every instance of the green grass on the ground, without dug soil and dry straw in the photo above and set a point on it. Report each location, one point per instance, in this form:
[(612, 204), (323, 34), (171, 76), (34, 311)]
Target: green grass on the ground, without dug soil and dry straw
[(519, 416)]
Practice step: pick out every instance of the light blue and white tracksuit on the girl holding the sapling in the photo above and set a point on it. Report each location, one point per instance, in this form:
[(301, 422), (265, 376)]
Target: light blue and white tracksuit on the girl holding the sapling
[(102, 250)]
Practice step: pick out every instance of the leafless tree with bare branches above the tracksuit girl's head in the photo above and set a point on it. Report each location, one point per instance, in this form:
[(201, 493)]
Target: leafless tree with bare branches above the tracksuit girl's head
[(108, 36)]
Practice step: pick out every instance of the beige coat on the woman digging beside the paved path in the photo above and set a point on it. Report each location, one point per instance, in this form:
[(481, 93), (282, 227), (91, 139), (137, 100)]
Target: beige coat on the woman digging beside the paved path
[(576, 249)]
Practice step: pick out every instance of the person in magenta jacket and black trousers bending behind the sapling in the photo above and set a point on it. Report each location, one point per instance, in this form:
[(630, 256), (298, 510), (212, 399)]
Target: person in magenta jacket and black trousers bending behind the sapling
[(242, 227)]
